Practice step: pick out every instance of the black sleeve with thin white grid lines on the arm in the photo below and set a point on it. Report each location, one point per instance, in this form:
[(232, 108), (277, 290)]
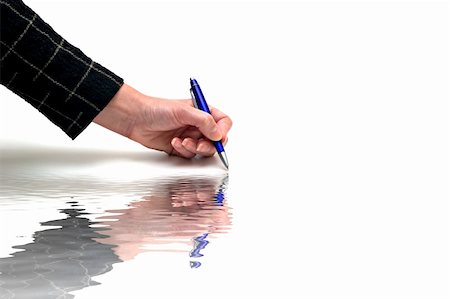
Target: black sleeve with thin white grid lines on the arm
[(52, 75)]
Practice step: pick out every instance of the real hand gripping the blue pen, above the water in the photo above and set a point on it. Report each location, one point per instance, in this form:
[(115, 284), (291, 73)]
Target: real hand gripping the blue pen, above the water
[(172, 126)]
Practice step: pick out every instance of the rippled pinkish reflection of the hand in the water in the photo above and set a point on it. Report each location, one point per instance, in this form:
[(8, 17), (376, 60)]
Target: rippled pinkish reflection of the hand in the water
[(174, 212)]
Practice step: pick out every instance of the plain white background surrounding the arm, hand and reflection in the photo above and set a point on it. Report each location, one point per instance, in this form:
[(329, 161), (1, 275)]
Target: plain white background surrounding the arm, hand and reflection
[(339, 151)]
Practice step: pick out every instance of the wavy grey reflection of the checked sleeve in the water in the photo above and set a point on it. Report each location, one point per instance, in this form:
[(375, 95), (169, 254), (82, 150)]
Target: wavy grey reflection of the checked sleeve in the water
[(58, 261)]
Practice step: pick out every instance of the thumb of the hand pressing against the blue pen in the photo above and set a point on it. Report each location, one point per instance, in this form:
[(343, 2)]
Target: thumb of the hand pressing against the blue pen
[(203, 121)]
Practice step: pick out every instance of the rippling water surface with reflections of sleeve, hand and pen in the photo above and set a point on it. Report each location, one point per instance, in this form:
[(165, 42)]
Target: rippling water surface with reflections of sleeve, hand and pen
[(93, 224)]
